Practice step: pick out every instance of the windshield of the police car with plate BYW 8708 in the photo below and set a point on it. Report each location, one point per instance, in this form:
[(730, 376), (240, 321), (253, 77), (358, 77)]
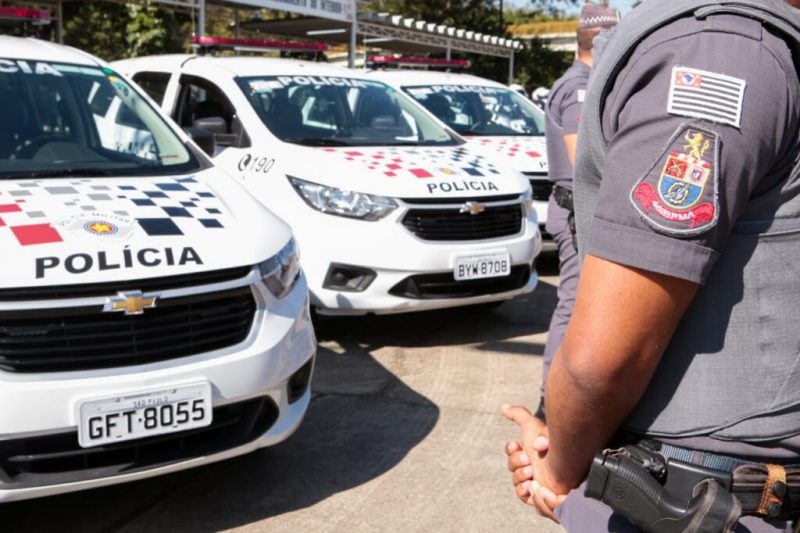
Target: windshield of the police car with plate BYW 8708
[(337, 111)]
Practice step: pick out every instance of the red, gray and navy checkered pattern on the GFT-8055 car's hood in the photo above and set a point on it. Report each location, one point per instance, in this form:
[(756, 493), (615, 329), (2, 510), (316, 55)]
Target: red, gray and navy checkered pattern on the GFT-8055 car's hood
[(163, 206)]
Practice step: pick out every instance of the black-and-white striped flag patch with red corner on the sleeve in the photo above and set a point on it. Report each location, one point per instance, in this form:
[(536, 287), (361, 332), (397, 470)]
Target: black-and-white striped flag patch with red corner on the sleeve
[(702, 94)]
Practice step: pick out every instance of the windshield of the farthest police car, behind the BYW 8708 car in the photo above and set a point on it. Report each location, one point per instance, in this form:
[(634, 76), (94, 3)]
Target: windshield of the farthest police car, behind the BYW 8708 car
[(476, 110)]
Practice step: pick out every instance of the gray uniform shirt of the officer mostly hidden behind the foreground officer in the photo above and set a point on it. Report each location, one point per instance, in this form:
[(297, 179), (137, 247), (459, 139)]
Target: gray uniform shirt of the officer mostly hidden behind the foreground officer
[(563, 118)]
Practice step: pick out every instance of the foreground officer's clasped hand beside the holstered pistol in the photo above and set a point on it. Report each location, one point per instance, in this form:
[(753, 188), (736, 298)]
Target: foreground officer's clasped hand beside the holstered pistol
[(526, 459)]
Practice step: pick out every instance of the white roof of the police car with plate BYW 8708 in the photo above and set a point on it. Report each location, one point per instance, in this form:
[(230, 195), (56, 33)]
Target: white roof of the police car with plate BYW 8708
[(242, 66)]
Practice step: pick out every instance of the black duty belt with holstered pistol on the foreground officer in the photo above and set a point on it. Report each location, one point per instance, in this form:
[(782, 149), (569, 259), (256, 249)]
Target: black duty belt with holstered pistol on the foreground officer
[(667, 489)]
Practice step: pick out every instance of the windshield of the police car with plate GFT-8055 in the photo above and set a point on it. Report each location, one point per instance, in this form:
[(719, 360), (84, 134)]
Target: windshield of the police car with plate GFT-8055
[(58, 120)]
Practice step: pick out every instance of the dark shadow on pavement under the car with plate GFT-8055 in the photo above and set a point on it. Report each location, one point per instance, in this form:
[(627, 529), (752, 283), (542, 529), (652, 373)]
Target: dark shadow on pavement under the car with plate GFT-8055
[(362, 422)]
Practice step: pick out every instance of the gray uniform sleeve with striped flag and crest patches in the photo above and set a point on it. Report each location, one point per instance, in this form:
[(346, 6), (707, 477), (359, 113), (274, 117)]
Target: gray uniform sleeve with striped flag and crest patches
[(696, 127)]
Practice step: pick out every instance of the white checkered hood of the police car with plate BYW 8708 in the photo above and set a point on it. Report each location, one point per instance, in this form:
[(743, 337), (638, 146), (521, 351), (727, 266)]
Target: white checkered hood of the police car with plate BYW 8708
[(407, 171)]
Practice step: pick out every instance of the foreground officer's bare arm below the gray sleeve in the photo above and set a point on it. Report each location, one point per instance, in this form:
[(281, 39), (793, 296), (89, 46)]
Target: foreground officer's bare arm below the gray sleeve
[(623, 320)]
